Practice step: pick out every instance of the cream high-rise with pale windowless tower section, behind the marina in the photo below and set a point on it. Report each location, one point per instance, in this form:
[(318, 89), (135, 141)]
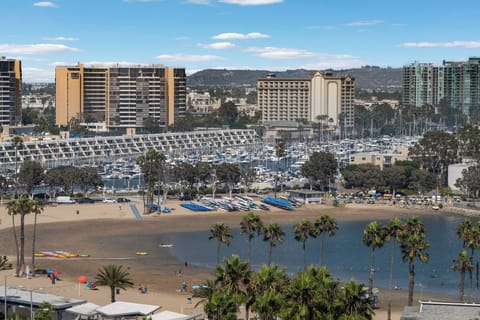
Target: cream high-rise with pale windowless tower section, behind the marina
[(320, 96)]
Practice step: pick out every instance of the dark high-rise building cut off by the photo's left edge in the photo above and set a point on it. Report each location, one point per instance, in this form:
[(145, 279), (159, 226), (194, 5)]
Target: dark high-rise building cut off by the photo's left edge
[(10, 92)]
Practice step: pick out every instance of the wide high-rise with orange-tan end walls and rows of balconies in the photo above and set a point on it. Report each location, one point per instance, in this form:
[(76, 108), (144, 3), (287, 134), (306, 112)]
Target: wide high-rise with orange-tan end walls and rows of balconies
[(122, 96)]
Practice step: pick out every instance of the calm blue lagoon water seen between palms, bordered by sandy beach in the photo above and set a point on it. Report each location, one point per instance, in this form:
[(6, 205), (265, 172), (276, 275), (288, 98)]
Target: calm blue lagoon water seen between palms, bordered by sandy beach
[(344, 254)]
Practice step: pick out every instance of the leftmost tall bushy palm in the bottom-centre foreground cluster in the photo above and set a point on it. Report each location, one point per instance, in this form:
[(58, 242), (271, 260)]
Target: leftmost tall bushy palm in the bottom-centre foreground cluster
[(234, 278)]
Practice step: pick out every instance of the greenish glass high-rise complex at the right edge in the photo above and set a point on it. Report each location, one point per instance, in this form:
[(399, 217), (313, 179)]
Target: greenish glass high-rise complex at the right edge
[(457, 83)]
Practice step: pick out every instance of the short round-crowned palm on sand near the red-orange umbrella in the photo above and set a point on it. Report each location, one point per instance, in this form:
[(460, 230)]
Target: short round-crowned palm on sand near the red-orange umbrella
[(115, 277)]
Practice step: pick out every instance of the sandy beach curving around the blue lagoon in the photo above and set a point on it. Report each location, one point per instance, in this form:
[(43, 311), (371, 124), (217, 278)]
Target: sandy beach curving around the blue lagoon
[(96, 228)]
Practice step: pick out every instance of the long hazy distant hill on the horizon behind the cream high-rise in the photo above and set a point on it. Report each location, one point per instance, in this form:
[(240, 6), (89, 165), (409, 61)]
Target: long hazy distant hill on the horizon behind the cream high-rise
[(367, 78)]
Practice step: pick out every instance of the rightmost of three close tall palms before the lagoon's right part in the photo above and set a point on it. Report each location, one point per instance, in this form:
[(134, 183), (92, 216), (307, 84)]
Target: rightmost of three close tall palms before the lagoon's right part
[(413, 246)]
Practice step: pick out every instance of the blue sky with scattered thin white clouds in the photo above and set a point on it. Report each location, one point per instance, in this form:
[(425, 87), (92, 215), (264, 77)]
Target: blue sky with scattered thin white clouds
[(236, 34)]
